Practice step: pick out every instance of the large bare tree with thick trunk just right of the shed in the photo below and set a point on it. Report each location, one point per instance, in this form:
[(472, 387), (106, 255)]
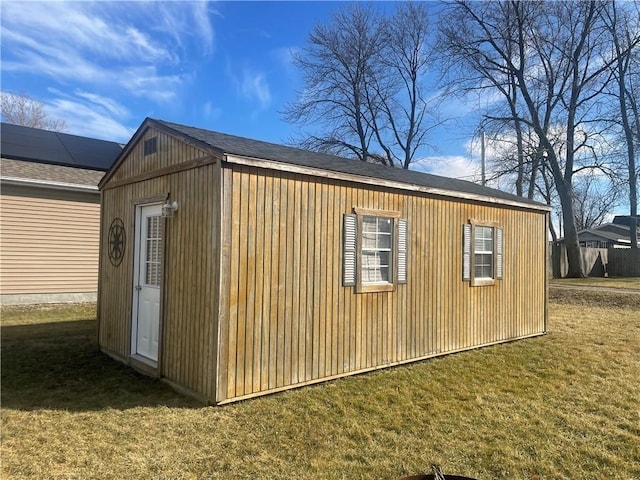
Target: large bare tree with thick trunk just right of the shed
[(556, 55)]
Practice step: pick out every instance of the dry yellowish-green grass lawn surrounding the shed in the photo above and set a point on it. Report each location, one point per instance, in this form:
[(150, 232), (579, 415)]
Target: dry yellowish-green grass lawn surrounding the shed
[(561, 406)]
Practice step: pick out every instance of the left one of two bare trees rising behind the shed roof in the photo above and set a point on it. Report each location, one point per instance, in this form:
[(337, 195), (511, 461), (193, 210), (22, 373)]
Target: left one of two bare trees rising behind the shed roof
[(335, 66)]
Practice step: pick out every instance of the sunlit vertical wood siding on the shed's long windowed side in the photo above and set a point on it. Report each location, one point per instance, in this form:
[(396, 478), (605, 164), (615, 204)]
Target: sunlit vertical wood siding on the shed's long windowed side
[(287, 320)]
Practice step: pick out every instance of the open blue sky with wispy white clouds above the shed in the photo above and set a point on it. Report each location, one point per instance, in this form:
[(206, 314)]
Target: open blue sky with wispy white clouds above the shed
[(104, 67)]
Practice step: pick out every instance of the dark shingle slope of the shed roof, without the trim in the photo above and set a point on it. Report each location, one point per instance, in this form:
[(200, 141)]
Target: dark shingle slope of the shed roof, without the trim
[(257, 149)]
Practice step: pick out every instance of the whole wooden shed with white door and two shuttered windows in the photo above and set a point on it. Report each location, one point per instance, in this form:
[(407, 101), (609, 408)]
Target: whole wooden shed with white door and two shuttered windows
[(232, 268)]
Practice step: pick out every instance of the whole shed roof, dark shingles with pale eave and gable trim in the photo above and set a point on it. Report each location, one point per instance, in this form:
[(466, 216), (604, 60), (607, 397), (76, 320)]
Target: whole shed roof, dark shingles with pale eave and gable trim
[(294, 159)]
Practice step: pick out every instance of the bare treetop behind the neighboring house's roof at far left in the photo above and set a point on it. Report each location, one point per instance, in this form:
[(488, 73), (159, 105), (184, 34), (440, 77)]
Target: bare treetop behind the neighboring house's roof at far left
[(20, 109)]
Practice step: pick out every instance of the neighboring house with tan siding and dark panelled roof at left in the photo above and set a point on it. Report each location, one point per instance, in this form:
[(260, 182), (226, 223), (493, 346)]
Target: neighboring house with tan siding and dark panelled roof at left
[(50, 214)]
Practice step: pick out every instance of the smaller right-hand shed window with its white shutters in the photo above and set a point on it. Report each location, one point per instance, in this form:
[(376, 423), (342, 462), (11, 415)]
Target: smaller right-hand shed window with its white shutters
[(482, 254)]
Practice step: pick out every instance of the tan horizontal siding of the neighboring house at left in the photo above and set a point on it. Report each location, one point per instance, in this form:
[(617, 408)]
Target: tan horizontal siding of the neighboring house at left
[(49, 242)]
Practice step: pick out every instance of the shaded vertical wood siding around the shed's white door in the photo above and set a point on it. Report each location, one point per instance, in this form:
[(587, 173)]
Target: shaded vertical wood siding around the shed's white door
[(188, 348)]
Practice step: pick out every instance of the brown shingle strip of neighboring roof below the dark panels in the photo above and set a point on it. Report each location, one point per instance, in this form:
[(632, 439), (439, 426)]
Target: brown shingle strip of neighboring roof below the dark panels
[(42, 174)]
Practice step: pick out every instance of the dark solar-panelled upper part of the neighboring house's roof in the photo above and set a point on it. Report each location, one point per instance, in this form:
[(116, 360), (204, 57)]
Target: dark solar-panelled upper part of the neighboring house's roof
[(43, 146)]
